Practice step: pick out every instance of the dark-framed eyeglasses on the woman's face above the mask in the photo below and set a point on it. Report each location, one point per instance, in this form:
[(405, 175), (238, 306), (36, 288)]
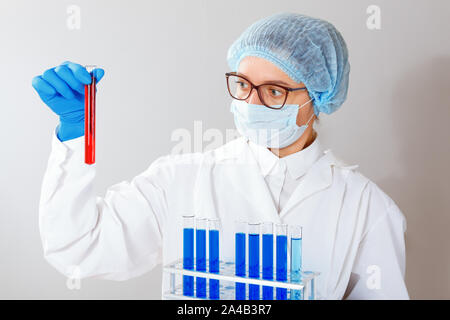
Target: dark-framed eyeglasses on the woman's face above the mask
[(272, 95)]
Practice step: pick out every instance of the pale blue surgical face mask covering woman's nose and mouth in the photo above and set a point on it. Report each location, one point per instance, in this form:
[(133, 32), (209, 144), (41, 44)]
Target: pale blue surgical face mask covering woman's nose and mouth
[(272, 128)]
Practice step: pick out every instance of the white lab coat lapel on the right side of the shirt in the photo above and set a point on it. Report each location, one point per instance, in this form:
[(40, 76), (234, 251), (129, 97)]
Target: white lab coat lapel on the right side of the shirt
[(318, 177)]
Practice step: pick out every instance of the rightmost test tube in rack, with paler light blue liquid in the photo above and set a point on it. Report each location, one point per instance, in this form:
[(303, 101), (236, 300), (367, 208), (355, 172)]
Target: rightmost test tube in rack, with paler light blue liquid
[(296, 259)]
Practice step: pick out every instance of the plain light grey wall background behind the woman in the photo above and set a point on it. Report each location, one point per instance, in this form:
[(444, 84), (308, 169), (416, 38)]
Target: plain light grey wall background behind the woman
[(394, 124)]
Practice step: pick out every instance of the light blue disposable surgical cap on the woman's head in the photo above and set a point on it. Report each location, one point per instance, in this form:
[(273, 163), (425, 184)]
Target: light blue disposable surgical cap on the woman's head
[(307, 49)]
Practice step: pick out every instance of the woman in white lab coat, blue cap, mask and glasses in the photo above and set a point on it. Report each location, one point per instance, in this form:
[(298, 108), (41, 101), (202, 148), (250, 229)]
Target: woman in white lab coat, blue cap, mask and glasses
[(285, 70)]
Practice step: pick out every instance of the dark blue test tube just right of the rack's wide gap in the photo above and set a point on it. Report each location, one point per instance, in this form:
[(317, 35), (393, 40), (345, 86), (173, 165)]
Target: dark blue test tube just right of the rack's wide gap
[(240, 253)]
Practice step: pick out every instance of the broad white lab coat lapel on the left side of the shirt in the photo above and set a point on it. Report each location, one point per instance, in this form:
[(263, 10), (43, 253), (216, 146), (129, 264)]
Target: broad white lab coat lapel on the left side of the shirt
[(236, 177)]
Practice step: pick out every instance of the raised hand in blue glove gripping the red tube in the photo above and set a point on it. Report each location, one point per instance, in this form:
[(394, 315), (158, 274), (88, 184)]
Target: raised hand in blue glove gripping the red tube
[(62, 89)]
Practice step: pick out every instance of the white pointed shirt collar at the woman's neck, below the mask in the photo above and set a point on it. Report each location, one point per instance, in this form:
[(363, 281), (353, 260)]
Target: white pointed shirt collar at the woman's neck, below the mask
[(297, 163)]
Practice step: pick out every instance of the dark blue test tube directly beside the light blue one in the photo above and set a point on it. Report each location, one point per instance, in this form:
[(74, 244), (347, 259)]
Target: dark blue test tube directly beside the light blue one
[(281, 259)]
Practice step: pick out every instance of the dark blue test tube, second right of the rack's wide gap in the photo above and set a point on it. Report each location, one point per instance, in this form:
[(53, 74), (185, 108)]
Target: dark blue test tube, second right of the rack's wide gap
[(253, 259)]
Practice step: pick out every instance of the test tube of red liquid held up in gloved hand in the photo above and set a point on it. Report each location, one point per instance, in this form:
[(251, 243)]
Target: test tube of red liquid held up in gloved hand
[(89, 118)]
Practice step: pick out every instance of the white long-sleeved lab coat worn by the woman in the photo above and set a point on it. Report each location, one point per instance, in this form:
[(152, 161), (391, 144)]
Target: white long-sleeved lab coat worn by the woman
[(353, 233)]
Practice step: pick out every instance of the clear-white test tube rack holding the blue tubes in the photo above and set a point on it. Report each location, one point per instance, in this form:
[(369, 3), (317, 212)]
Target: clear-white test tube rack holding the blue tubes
[(228, 280)]
